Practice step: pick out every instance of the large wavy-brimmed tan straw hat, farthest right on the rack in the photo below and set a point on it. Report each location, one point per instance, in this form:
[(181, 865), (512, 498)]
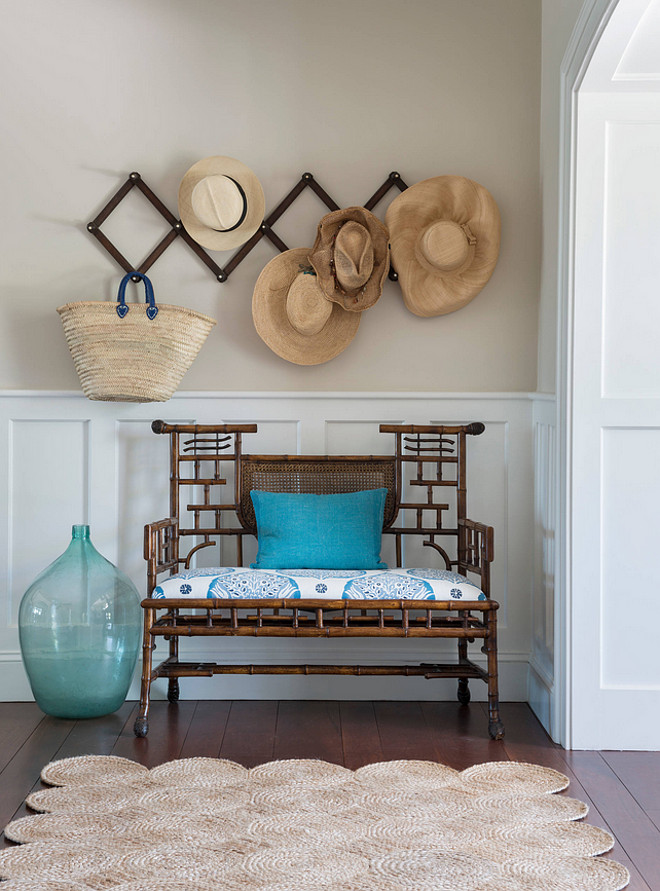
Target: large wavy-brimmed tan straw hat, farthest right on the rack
[(445, 235)]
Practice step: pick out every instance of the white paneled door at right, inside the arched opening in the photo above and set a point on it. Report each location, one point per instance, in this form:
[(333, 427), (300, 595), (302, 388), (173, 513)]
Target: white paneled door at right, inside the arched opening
[(614, 699)]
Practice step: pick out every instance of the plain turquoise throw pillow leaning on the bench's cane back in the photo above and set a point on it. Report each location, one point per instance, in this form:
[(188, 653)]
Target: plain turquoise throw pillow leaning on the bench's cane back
[(306, 531)]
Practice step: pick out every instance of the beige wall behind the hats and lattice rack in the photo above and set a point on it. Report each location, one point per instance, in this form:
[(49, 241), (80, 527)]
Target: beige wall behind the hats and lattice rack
[(349, 90)]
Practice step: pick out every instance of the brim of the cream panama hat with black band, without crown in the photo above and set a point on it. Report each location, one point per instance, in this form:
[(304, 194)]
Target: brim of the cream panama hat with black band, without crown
[(254, 195)]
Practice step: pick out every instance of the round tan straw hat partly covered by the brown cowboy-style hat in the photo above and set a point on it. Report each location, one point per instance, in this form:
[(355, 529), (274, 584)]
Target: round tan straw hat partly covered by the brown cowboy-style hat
[(293, 316)]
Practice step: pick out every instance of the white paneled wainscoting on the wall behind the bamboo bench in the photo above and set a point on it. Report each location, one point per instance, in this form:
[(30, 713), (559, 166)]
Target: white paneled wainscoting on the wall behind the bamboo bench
[(69, 460)]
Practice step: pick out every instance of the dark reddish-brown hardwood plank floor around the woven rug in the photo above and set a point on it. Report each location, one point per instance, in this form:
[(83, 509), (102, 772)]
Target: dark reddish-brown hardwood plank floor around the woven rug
[(622, 789)]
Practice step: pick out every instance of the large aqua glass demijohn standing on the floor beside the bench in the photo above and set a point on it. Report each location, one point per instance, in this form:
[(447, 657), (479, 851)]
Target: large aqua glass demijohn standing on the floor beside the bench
[(79, 627)]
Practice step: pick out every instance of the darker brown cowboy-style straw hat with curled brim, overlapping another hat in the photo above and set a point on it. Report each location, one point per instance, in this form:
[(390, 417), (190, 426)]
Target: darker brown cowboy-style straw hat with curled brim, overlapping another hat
[(351, 257)]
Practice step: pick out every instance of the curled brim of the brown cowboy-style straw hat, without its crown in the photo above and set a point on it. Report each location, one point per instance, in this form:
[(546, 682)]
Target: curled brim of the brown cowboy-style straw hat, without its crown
[(323, 251)]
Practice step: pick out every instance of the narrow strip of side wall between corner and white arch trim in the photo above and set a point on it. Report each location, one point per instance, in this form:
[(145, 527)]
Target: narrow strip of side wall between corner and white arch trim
[(558, 20)]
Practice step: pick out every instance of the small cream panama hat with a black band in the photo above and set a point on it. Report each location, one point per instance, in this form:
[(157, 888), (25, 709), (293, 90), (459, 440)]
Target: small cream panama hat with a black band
[(221, 203)]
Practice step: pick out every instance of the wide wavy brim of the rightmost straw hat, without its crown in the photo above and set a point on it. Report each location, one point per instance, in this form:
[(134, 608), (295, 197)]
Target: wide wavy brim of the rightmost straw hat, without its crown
[(433, 293)]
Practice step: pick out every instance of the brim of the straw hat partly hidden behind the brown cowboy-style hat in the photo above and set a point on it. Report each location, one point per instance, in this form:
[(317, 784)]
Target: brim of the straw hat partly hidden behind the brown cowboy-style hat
[(272, 322)]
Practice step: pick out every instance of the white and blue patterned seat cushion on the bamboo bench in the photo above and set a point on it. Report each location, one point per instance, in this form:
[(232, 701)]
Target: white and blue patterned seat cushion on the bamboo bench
[(228, 582)]
